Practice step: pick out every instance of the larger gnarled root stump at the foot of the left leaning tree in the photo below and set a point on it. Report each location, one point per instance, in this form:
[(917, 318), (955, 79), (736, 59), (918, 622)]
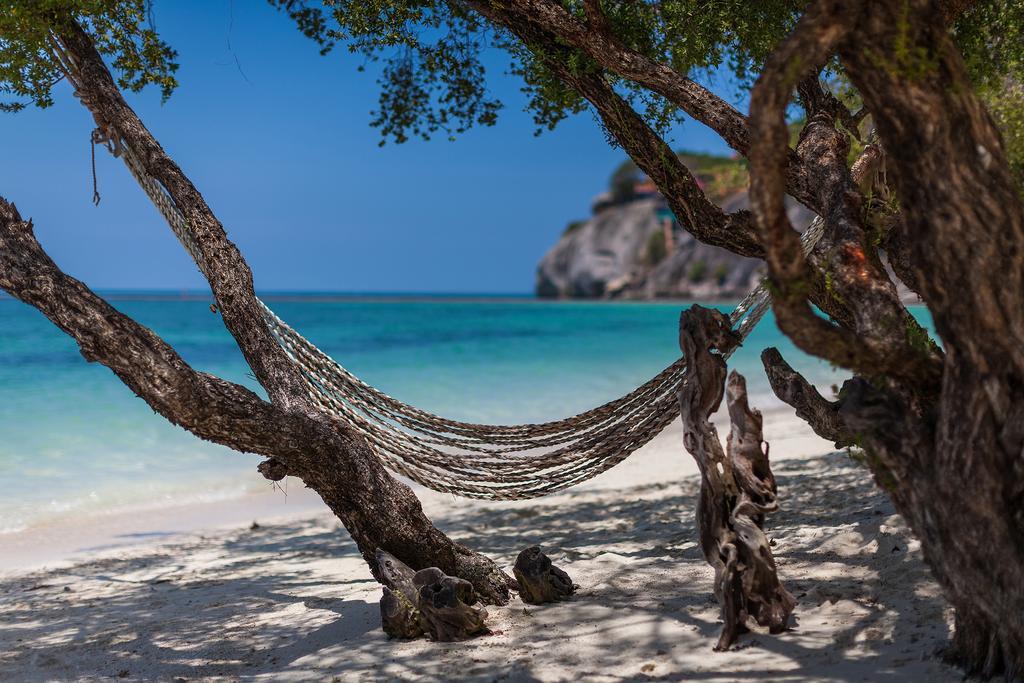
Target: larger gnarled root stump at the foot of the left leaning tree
[(428, 603)]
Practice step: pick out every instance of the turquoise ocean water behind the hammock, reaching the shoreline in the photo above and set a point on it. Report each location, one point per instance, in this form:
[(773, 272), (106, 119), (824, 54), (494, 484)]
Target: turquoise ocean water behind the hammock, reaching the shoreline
[(75, 442)]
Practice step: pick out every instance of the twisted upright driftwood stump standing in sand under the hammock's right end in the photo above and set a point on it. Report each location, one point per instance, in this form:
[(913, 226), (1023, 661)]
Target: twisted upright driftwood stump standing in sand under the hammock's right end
[(738, 489)]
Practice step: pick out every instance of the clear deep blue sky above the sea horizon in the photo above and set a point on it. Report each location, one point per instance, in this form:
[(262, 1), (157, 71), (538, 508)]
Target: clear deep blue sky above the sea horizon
[(285, 156)]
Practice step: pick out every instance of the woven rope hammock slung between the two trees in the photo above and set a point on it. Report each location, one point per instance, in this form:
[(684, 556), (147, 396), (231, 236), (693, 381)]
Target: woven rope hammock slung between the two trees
[(495, 462)]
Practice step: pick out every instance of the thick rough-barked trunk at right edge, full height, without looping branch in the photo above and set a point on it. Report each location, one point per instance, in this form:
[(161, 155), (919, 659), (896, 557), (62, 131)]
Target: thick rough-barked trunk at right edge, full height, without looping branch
[(963, 490)]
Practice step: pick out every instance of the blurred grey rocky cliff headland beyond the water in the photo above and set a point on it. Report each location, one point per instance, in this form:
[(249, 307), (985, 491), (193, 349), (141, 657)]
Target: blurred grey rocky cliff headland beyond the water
[(632, 249)]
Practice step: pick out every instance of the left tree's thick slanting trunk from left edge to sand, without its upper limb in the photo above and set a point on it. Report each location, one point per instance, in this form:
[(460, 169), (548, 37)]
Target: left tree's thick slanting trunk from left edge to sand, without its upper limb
[(378, 511)]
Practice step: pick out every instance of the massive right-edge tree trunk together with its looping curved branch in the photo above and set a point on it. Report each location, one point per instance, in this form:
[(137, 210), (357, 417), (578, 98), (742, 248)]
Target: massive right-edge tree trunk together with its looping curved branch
[(951, 453)]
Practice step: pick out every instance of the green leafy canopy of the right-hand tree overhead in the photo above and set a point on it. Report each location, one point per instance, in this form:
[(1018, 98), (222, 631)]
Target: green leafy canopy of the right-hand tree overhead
[(436, 52)]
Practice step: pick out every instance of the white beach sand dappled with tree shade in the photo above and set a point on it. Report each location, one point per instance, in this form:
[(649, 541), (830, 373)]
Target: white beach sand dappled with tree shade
[(293, 601)]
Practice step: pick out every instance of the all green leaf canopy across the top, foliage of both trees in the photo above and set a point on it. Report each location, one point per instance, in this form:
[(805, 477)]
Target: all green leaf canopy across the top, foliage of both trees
[(435, 55)]
